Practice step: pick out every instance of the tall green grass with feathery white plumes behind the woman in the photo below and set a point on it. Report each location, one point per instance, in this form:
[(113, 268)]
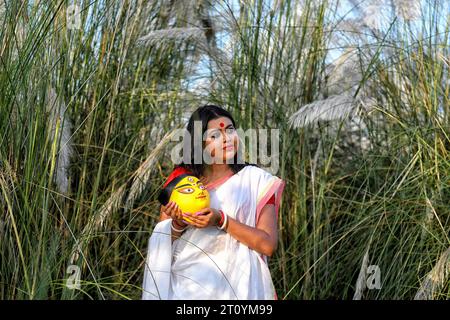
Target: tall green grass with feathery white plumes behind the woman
[(363, 112)]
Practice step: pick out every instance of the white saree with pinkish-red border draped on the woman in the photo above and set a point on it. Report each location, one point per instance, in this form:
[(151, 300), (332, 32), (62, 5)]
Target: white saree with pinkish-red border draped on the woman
[(207, 263)]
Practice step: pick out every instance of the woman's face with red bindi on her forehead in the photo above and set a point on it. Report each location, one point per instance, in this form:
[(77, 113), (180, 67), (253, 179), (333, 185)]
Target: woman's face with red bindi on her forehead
[(221, 140)]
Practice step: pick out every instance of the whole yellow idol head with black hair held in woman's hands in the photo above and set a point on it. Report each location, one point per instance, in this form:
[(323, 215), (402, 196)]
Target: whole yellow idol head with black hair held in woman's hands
[(187, 192)]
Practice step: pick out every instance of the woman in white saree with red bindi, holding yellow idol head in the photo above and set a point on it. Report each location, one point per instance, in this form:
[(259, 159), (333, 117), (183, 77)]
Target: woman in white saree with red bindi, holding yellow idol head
[(222, 253)]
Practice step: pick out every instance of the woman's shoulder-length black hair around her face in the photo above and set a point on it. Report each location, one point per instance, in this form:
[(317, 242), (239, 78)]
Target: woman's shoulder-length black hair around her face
[(205, 114)]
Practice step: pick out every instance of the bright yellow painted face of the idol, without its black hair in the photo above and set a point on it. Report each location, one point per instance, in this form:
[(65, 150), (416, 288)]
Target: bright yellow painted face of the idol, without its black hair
[(190, 195)]
